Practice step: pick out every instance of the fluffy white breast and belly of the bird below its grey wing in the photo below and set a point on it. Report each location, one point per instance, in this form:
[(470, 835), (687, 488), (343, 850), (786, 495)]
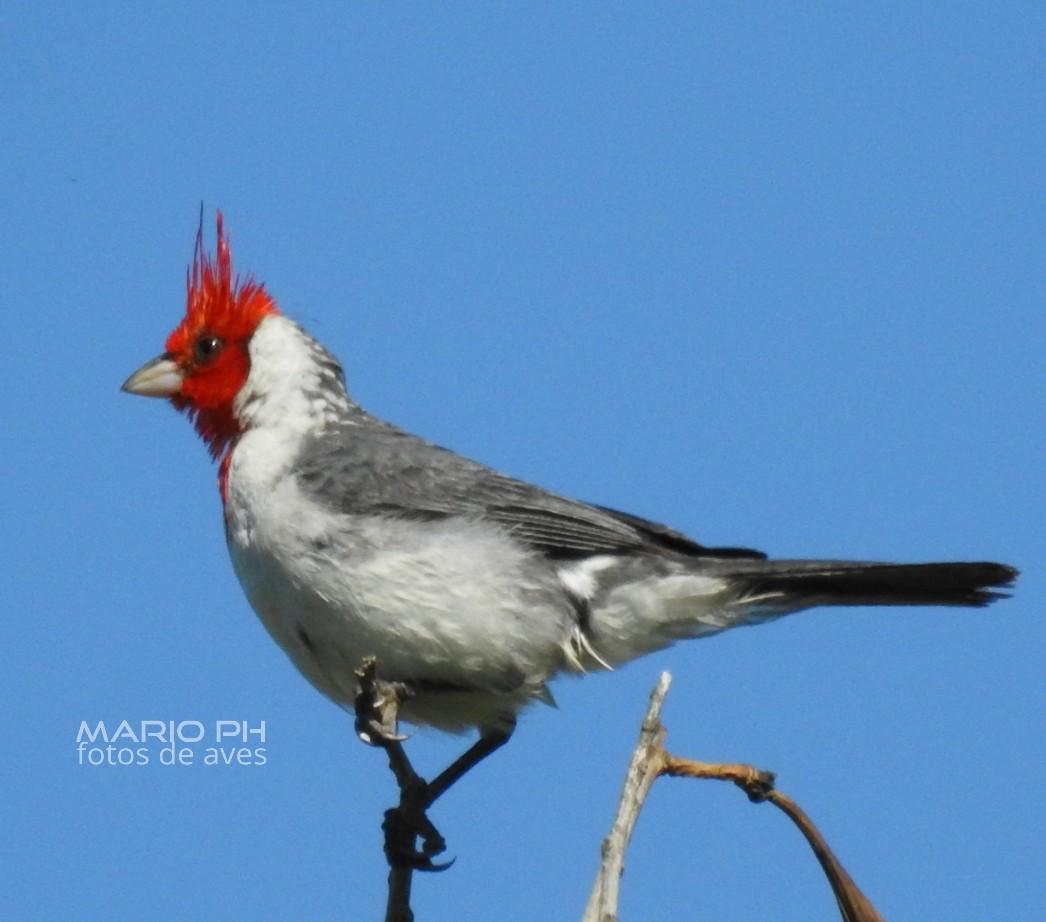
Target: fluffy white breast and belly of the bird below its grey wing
[(448, 604)]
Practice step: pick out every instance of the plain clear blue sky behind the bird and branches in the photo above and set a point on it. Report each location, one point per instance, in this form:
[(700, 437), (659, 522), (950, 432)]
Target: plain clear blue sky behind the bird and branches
[(776, 278)]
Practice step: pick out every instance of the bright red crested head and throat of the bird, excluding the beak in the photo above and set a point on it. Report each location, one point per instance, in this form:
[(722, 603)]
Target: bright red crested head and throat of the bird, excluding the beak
[(211, 345)]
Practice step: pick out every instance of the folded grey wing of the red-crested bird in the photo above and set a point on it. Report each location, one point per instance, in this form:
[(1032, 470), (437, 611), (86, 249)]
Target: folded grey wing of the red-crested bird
[(372, 467)]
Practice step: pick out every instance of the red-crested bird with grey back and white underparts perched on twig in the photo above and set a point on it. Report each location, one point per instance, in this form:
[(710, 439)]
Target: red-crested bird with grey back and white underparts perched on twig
[(470, 590)]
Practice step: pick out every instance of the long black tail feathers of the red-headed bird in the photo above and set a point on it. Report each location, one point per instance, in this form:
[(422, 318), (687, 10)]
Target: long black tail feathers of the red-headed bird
[(792, 584)]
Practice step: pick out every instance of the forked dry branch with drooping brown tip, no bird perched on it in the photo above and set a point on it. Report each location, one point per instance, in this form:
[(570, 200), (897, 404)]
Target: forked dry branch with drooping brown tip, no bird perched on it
[(651, 760)]
